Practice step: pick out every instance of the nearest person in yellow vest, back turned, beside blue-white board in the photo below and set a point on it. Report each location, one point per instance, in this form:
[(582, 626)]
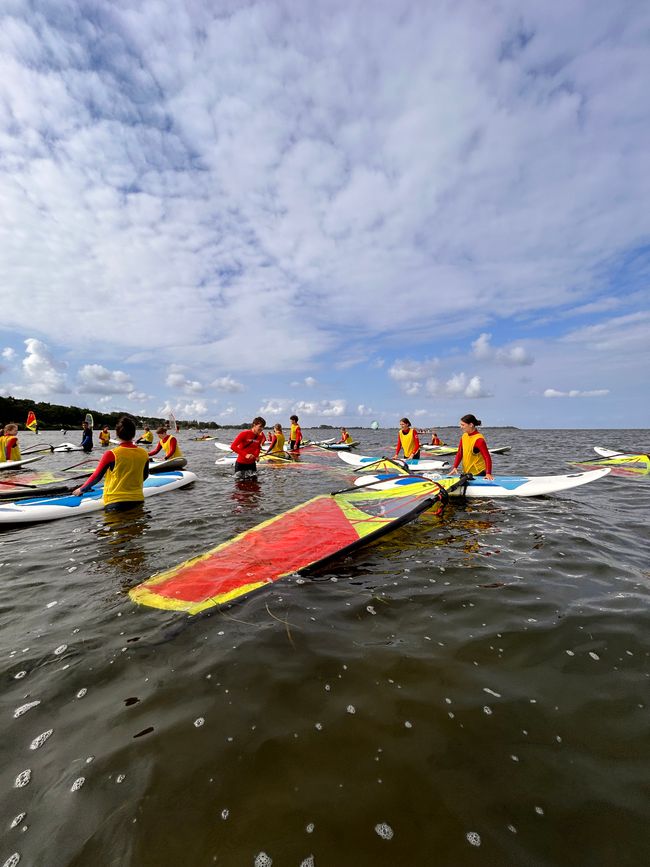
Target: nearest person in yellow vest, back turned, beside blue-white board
[(125, 467)]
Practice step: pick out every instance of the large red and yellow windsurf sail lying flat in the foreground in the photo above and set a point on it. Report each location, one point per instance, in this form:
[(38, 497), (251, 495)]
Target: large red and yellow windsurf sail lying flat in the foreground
[(300, 540)]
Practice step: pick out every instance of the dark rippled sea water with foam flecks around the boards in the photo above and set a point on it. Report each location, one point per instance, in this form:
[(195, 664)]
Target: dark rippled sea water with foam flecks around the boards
[(471, 690)]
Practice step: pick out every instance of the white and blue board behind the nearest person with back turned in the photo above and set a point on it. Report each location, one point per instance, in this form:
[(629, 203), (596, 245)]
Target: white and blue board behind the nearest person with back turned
[(51, 508)]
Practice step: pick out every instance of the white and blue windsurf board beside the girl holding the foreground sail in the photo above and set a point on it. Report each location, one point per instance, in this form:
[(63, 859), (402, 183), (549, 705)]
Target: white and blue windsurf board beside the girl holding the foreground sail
[(499, 486)]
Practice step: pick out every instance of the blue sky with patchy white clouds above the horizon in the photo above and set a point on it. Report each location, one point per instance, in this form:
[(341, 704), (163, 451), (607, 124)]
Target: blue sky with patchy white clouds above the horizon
[(351, 211)]
